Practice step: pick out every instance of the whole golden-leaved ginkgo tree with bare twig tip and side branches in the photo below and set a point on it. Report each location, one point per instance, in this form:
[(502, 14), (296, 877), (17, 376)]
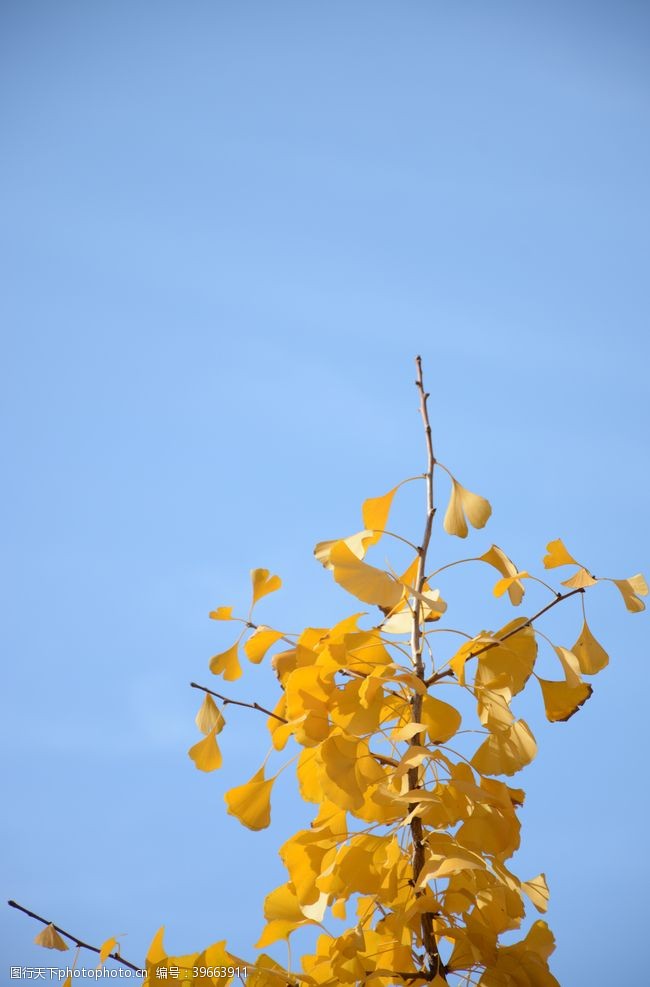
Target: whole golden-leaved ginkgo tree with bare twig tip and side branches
[(414, 824)]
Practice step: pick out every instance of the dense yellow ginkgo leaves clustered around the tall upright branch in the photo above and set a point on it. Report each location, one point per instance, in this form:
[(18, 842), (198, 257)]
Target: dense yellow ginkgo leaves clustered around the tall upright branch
[(347, 700)]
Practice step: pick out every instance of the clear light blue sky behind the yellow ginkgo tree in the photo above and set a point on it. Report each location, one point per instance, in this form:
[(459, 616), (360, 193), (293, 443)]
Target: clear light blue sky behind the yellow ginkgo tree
[(227, 229)]
